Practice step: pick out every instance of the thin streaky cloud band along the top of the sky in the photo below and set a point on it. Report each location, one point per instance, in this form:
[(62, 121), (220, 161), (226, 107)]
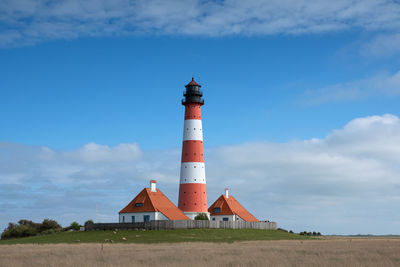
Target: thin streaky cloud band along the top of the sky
[(37, 20)]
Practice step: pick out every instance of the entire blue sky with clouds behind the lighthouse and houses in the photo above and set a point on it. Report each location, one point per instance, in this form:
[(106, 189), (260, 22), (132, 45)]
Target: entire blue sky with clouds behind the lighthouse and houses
[(301, 116)]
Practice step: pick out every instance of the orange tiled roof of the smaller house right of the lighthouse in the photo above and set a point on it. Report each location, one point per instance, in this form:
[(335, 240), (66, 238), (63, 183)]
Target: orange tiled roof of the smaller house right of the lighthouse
[(230, 206)]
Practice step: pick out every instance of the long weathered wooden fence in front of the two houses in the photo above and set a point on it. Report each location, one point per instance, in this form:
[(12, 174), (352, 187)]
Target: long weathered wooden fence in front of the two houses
[(182, 224)]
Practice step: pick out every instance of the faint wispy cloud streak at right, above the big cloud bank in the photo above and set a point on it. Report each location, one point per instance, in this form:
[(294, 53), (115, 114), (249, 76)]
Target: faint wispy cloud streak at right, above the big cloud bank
[(382, 85)]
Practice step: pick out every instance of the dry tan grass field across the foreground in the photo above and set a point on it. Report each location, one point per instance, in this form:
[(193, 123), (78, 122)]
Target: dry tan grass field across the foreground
[(324, 252)]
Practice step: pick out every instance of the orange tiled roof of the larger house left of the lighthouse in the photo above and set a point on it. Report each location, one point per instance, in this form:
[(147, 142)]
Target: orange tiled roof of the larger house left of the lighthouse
[(155, 201)]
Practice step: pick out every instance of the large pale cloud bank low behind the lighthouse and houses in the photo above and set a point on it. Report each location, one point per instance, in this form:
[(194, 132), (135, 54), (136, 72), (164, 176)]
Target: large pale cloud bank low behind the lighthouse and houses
[(347, 182)]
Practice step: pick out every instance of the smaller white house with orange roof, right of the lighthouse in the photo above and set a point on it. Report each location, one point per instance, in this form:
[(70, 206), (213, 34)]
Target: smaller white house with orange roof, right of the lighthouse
[(227, 208)]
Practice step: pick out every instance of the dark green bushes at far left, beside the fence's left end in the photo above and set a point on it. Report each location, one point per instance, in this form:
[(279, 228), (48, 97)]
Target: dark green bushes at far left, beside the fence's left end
[(26, 228)]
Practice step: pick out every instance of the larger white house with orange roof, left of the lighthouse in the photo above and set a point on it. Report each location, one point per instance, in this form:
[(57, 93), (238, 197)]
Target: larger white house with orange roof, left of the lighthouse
[(150, 205)]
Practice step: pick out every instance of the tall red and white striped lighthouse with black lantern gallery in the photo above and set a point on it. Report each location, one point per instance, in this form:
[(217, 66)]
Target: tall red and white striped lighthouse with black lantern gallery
[(192, 189)]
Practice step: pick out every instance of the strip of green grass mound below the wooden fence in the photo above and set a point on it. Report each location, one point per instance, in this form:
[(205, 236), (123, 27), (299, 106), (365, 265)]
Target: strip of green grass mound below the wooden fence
[(170, 236)]
